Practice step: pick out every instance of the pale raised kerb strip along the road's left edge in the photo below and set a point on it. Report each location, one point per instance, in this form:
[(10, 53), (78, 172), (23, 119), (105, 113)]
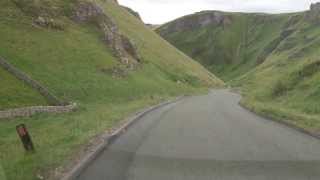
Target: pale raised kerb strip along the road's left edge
[(107, 138)]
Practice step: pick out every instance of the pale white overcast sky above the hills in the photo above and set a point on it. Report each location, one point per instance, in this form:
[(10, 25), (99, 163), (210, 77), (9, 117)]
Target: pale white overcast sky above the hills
[(161, 11)]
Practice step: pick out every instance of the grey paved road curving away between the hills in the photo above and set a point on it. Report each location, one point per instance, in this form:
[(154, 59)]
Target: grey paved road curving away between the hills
[(208, 138)]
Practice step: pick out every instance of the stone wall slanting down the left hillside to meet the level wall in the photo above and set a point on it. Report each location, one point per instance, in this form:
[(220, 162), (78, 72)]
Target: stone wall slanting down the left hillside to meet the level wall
[(52, 100)]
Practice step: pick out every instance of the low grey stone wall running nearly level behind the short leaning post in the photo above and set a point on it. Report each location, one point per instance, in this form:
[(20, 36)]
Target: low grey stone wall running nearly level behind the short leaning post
[(29, 111)]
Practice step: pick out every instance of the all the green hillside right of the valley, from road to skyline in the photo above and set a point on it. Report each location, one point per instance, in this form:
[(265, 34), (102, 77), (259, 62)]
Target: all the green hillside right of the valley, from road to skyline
[(273, 58)]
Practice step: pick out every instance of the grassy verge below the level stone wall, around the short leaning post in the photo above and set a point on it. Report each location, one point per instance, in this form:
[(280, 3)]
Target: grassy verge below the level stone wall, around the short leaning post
[(56, 137)]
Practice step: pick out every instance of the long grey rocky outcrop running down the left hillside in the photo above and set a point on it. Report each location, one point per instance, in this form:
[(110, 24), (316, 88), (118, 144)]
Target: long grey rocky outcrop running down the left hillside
[(123, 47)]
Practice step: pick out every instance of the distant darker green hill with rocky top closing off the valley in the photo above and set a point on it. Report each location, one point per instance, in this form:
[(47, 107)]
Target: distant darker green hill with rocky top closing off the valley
[(228, 44)]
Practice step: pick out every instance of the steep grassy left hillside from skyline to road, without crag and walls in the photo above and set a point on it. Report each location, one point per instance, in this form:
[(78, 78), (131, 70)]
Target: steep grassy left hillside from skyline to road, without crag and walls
[(74, 62)]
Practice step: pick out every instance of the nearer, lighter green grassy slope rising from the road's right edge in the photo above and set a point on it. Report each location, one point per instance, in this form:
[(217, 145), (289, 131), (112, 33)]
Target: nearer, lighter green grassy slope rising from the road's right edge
[(286, 85)]
